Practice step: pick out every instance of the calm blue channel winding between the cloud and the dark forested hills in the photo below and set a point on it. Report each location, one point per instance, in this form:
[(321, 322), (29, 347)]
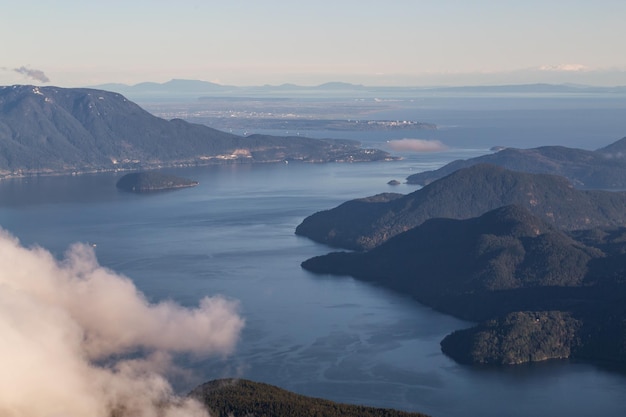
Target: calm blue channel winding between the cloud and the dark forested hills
[(323, 336)]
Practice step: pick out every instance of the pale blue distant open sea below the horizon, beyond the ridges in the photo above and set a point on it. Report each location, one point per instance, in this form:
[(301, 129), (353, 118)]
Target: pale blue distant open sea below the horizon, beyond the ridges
[(587, 122)]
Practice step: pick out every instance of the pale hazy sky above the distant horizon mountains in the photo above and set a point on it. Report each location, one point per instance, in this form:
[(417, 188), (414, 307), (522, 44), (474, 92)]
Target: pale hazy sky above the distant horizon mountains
[(73, 43)]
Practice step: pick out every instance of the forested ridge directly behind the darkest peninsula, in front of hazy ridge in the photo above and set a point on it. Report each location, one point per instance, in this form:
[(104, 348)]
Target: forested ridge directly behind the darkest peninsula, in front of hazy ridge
[(365, 223)]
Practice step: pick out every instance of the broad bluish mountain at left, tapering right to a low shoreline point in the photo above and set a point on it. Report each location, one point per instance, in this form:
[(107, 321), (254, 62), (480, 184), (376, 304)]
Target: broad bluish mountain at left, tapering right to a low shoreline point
[(47, 130)]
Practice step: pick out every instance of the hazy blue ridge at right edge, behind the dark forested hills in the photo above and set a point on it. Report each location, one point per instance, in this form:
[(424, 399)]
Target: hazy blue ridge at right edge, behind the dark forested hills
[(604, 168)]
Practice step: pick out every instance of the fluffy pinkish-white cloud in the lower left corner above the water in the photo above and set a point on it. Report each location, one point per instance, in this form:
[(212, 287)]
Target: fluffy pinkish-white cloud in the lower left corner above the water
[(68, 327)]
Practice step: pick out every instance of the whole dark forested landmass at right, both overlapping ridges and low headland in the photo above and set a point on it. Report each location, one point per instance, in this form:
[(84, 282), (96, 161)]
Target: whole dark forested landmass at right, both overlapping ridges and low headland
[(539, 264)]
